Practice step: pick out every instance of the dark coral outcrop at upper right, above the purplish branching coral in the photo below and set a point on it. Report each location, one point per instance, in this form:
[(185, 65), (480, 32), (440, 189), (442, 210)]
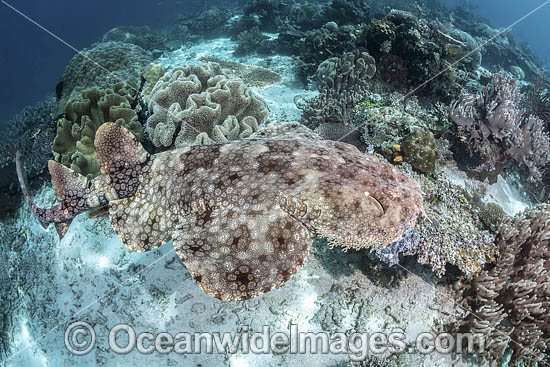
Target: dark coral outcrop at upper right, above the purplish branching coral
[(411, 50)]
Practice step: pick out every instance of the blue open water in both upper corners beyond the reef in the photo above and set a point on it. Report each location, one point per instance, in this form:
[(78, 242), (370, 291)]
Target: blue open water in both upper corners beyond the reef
[(31, 61)]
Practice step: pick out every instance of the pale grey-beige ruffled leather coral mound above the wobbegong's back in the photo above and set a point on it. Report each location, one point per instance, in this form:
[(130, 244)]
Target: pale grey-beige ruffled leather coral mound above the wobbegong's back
[(200, 104)]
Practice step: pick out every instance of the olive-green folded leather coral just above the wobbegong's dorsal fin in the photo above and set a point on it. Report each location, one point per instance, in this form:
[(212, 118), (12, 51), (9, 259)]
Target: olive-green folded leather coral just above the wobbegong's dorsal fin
[(73, 145)]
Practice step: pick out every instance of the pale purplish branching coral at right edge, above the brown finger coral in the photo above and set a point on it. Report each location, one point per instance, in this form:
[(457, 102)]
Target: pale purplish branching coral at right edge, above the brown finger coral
[(498, 129)]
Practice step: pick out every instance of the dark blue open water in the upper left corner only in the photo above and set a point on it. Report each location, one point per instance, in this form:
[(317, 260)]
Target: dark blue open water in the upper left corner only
[(34, 60)]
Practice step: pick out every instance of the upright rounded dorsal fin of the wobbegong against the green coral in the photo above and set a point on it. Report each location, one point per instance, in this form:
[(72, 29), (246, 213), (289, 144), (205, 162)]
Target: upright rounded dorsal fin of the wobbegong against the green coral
[(117, 148)]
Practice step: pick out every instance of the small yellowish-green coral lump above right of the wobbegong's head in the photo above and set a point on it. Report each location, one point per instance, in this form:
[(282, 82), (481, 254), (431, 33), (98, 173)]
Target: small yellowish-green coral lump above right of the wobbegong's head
[(419, 150)]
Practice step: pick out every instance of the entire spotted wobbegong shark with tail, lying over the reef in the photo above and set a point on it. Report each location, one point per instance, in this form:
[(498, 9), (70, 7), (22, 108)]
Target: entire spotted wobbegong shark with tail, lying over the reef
[(239, 213)]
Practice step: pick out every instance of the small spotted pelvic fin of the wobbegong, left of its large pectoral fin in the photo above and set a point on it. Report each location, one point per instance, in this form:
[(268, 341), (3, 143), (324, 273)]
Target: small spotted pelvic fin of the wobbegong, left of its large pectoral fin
[(138, 224)]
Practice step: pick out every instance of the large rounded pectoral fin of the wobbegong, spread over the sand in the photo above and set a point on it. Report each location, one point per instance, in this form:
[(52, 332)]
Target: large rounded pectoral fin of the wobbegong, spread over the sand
[(235, 255)]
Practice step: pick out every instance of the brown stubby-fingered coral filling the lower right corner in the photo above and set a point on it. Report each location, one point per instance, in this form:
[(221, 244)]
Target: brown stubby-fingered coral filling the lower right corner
[(510, 303)]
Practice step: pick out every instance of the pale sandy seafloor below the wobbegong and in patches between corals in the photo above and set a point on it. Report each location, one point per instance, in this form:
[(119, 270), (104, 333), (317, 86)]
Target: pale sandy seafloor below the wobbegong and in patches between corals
[(91, 276)]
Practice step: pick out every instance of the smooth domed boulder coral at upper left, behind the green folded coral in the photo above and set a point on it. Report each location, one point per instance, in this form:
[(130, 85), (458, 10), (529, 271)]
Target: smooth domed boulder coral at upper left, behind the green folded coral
[(99, 66)]
